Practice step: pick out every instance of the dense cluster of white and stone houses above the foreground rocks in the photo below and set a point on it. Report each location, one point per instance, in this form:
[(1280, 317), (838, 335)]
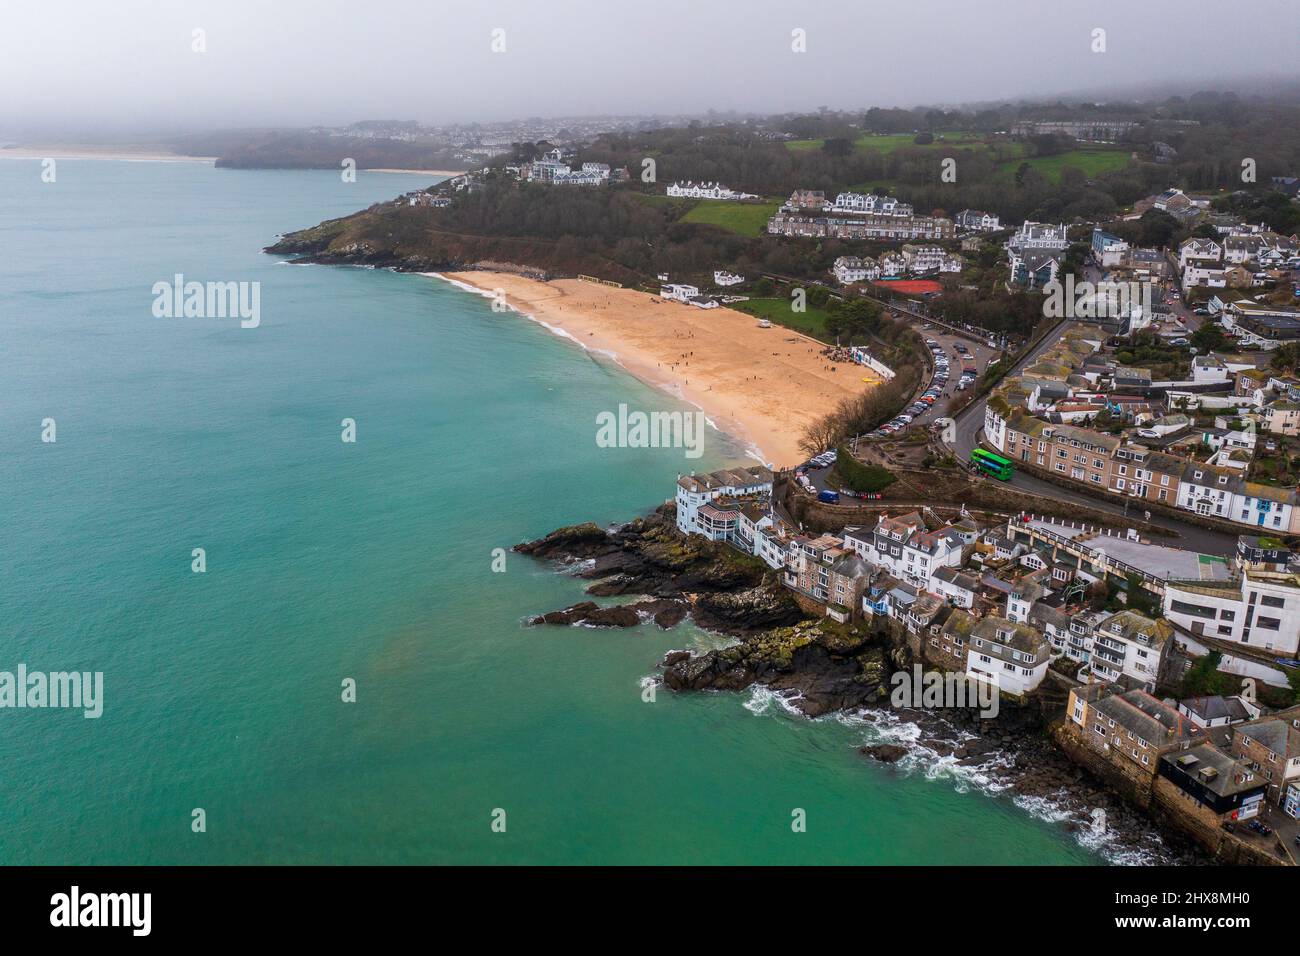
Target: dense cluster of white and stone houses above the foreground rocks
[(1126, 635)]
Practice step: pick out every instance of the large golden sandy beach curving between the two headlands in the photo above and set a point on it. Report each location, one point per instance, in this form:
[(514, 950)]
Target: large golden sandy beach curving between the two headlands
[(760, 386)]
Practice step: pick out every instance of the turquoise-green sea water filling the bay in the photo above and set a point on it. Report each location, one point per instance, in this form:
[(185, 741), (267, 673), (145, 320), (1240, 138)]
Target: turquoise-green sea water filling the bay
[(371, 561)]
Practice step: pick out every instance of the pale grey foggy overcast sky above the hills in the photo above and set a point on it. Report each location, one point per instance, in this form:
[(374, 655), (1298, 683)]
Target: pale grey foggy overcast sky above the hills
[(98, 66)]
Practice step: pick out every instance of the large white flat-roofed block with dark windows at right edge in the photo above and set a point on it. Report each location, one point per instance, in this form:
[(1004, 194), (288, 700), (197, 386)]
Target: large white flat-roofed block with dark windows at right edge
[(1262, 609)]
